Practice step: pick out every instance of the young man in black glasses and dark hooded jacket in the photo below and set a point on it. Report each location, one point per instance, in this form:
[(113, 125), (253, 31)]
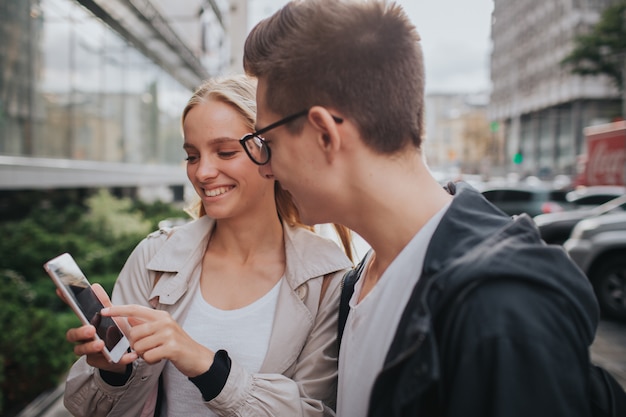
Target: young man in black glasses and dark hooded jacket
[(340, 110)]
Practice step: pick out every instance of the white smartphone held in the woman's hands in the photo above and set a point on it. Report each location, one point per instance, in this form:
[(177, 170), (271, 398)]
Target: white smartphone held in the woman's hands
[(80, 296)]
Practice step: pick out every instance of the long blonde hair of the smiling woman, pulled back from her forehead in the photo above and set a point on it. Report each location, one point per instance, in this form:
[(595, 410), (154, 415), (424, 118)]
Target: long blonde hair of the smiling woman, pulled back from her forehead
[(239, 91)]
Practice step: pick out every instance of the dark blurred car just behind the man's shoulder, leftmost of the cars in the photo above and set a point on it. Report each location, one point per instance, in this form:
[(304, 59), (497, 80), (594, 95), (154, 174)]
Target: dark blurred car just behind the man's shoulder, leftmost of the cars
[(533, 200)]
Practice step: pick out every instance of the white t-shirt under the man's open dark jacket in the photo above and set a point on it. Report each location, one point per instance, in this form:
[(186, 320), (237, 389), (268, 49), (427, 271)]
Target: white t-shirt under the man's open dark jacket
[(372, 323)]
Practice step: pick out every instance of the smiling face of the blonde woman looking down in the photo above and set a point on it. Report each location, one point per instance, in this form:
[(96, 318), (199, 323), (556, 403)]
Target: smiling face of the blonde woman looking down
[(227, 182)]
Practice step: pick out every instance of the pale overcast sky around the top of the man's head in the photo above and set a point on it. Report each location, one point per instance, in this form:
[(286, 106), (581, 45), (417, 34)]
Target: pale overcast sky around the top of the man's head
[(455, 39)]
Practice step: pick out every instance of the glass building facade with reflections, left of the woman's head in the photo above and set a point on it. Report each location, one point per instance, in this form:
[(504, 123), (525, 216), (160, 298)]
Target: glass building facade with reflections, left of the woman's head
[(71, 87)]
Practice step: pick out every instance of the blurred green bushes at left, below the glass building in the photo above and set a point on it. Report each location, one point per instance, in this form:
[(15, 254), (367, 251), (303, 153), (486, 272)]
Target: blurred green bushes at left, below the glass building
[(99, 231)]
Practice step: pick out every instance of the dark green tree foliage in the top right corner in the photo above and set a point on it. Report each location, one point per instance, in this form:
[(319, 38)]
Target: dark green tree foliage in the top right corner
[(602, 51)]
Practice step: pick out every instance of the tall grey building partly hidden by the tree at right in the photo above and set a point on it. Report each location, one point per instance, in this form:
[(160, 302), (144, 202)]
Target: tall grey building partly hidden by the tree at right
[(539, 106)]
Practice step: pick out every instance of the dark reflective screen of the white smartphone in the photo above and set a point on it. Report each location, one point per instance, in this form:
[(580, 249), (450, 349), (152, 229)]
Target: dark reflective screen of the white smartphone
[(80, 290)]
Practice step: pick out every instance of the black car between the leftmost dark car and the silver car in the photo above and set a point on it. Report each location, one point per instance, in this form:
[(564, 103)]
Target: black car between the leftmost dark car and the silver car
[(555, 228)]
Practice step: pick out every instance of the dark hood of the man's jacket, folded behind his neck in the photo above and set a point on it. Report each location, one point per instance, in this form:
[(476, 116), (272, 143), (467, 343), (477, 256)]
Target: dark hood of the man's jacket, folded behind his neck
[(486, 243)]
